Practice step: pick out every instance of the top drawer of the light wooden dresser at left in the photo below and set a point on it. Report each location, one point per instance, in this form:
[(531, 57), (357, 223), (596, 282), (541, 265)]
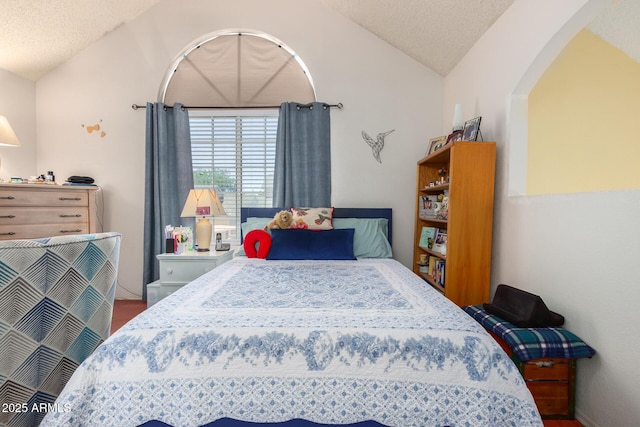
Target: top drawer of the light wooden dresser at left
[(17, 197)]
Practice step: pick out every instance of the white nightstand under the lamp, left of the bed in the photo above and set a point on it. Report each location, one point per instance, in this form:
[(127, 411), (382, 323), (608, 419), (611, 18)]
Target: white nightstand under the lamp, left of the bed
[(176, 270)]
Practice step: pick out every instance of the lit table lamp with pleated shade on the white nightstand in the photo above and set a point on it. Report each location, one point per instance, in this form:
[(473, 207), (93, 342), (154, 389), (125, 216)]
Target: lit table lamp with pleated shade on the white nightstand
[(201, 204)]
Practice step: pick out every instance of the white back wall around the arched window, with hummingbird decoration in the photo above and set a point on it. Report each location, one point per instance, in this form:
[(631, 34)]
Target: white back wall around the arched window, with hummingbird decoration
[(380, 87)]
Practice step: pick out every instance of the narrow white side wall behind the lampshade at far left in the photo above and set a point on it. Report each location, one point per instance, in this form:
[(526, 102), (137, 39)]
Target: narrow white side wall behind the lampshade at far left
[(17, 104)]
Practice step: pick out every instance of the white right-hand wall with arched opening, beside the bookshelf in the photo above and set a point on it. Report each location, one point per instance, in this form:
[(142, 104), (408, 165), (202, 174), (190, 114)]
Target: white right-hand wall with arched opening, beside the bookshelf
[(578, 251)]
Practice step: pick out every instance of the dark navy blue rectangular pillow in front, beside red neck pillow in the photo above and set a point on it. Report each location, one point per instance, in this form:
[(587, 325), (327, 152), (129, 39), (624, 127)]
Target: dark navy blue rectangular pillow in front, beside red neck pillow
[(296, 244)]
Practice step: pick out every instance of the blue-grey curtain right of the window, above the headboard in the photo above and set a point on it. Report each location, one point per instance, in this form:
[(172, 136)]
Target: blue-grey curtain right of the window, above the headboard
[(302, 175)]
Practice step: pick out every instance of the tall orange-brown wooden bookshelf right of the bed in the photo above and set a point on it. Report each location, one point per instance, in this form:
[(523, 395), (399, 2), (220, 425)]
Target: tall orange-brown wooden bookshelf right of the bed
[(469, 183)]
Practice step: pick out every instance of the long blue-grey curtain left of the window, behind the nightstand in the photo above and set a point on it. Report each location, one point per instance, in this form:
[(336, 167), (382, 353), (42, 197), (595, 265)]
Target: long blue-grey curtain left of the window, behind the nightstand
[(168, 179)]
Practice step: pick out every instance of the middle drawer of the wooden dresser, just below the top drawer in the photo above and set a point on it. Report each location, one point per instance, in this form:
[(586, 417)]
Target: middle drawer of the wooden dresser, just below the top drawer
[(37, 215)]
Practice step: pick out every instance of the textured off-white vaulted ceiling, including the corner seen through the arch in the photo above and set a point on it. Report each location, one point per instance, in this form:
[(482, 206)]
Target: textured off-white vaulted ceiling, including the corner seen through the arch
[(36, 36)]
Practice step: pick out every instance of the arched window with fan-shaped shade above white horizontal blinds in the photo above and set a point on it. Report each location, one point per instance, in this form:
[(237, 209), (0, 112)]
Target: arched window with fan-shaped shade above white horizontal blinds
[(232, 83)]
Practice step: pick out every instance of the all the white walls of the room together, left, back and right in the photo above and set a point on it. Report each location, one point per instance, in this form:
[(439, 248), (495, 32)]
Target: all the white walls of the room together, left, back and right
[(576, 250)]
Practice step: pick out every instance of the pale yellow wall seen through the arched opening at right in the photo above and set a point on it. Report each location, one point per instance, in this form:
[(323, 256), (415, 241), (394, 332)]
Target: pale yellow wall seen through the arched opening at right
[(584, 121)]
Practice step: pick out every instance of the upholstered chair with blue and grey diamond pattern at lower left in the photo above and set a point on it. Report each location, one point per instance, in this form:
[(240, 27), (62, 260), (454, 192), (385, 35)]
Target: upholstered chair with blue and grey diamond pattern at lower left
[(56, 304)]
